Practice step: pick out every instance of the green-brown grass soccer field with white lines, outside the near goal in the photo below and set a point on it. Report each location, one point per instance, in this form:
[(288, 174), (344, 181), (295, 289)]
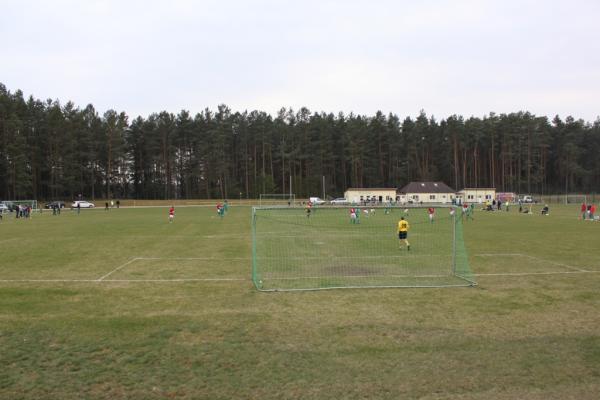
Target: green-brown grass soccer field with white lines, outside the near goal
[(122, 304)]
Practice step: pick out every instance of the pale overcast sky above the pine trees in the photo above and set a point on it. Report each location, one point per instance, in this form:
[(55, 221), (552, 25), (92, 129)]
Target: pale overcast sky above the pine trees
[(445, 57)]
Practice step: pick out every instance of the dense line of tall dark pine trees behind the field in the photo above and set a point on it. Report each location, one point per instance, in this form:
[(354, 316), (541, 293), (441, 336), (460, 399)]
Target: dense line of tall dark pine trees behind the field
[(53, 151)]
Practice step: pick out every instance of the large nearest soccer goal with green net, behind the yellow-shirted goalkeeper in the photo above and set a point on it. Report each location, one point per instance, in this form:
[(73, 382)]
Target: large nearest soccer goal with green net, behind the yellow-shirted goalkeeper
[(297, 250)]
